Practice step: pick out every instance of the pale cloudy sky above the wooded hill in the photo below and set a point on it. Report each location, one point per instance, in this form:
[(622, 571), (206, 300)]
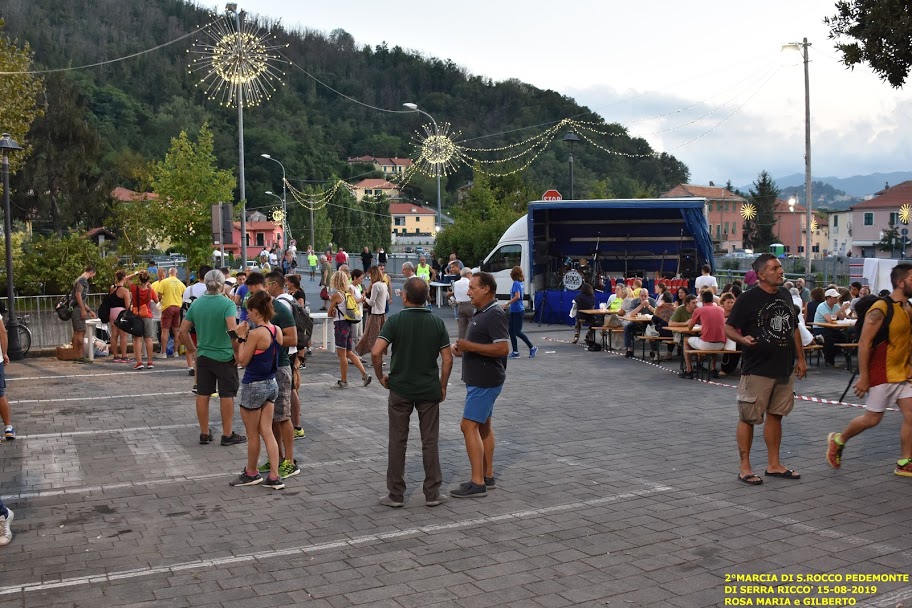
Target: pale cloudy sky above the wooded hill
[(704, 80)]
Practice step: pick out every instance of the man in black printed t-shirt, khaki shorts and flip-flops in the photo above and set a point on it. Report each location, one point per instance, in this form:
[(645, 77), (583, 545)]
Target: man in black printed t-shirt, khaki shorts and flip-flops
[(763, 321)]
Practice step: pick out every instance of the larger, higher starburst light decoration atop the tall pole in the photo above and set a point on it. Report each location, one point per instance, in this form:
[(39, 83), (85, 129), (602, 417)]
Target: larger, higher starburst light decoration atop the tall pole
[(232, 63)]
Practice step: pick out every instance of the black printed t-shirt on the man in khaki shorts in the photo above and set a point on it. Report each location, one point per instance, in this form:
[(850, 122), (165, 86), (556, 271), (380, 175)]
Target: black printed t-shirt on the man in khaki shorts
[(770, 318)]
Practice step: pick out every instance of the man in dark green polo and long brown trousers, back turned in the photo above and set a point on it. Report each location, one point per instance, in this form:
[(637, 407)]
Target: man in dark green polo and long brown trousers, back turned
[(414, 382)]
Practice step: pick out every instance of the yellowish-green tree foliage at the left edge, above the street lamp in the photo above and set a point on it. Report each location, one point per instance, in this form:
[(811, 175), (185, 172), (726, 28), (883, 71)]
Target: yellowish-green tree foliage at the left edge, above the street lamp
[(19, 92)]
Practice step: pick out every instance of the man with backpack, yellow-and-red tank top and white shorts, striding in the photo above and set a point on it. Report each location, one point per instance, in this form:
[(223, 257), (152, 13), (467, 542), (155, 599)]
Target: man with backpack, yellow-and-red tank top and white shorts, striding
[(884, 348)]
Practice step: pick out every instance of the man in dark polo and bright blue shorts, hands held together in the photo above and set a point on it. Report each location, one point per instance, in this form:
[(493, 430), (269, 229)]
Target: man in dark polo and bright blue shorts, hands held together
[(484, 369)]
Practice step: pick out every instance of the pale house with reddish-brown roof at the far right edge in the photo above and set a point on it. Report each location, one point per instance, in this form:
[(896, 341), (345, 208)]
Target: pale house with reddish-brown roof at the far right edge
[(872, 217)]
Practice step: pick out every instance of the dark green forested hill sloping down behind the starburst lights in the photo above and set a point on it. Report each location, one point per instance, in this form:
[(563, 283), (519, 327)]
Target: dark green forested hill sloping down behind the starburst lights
[(103, 124)]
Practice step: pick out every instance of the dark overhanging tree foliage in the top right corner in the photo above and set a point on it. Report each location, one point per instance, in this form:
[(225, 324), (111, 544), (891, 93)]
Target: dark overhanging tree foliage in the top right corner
[(876, 32)]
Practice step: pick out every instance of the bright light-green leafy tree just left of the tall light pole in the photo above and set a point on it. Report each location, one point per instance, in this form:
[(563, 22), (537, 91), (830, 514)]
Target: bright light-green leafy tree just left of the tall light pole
[(188, 183)]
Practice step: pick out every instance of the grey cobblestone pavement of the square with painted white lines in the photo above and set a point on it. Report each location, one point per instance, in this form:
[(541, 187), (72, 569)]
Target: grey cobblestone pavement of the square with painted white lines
[(616, 485)]
